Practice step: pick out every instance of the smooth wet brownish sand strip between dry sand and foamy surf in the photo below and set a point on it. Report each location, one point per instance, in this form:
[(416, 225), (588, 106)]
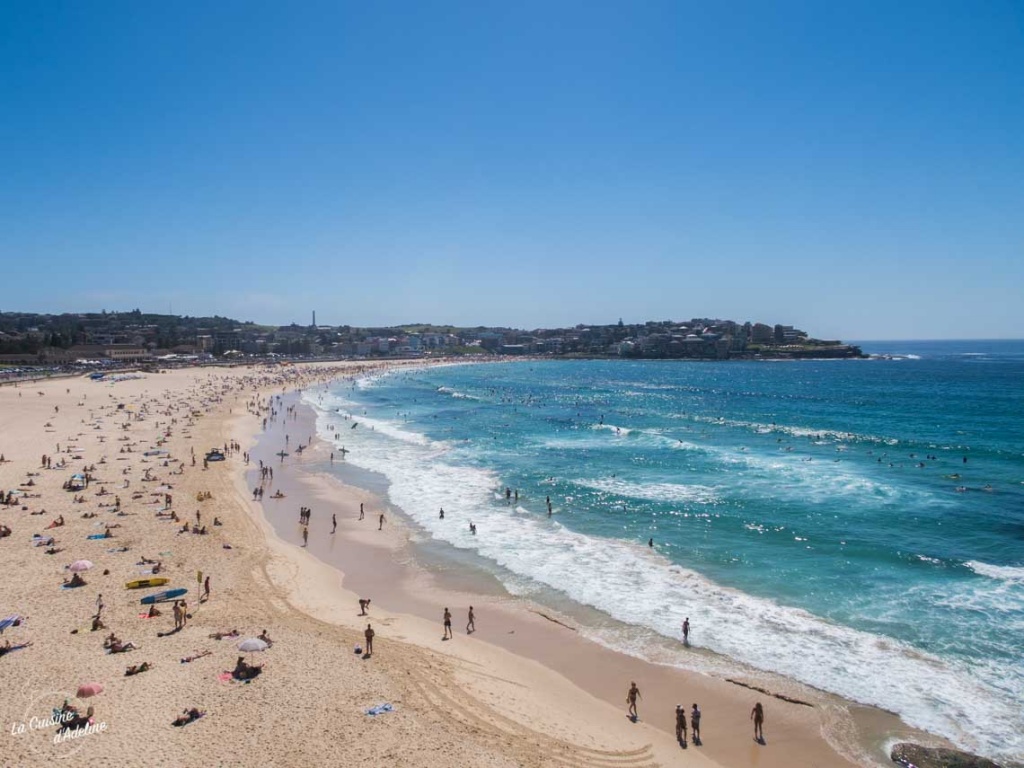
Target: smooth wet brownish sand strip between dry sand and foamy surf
[(856, 733)]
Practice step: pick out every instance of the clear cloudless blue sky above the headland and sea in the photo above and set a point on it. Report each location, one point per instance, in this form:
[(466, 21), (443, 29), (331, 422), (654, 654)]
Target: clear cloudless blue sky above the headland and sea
[(852, 168)]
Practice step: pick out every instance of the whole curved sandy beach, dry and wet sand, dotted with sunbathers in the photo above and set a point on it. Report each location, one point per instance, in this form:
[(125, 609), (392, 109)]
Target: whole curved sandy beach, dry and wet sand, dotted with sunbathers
[(525, 690)]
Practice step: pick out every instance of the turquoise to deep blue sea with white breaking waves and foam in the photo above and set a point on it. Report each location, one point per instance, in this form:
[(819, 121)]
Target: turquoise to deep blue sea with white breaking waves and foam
[(856, 525)]
